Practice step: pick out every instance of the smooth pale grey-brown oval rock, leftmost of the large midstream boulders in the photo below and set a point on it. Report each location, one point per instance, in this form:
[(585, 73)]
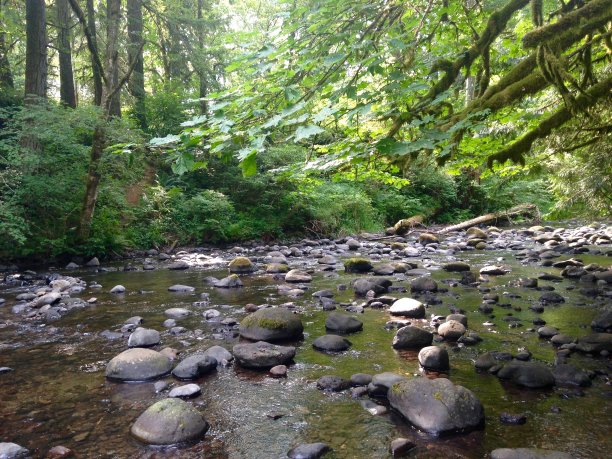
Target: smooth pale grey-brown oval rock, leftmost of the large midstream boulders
[(138, 364)]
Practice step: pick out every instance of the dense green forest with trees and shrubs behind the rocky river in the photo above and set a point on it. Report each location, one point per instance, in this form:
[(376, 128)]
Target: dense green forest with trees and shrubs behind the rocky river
[(148, 123)]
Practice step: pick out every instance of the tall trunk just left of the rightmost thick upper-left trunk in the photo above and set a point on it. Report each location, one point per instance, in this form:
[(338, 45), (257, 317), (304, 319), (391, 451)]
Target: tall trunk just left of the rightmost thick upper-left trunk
[(113, 15)]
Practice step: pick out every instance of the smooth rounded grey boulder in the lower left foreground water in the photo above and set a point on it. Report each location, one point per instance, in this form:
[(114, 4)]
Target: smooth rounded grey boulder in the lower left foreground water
[(169, 421)]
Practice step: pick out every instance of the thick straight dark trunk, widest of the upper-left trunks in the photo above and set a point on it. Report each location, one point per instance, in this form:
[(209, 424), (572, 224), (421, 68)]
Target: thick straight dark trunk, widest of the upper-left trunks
[(36, 51)]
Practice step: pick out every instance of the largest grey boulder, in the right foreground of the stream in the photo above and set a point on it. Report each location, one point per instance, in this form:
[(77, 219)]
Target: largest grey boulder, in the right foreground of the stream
[(437, 406)]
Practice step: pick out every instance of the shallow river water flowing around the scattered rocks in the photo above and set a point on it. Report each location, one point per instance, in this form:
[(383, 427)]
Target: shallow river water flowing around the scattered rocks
[(58, 395)]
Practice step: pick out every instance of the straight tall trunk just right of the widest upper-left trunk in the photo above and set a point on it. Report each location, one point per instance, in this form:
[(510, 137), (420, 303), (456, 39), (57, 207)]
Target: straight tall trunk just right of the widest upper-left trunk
[(67, 91)]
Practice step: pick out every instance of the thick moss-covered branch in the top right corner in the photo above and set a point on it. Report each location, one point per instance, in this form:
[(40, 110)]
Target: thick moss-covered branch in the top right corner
[(590, 17)]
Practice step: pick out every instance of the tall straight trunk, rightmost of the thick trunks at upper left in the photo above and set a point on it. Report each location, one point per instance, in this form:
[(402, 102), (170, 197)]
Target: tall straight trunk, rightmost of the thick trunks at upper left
[(136, 83)]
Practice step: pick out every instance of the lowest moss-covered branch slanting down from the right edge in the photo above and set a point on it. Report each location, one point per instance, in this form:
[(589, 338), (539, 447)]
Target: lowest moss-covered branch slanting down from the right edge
[(517, 150)]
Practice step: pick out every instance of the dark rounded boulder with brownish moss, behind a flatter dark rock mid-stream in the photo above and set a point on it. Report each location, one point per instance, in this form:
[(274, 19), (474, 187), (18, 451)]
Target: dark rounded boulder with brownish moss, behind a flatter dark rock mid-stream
[(271, 324)]
